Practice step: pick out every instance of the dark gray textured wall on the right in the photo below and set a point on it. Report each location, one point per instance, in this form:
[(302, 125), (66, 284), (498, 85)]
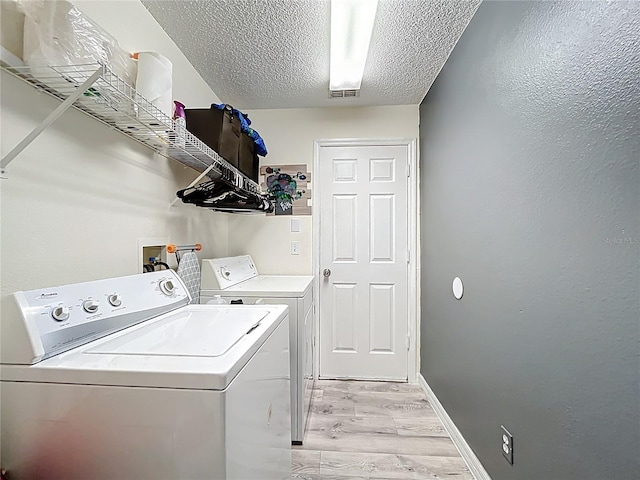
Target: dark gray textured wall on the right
[(530, 192)]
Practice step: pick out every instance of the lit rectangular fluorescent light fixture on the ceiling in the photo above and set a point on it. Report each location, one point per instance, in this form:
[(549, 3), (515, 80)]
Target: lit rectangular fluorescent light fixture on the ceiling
[(351, 26)]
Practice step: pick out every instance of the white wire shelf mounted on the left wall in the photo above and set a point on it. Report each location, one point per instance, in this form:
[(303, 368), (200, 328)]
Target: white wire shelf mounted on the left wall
[(114, 102)]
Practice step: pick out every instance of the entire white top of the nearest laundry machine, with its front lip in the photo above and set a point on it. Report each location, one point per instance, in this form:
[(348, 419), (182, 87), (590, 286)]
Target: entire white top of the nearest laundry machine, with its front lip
[(199, 347)]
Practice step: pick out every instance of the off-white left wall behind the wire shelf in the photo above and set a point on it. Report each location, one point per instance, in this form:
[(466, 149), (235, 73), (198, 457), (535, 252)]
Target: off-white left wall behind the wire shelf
[(79, 198)]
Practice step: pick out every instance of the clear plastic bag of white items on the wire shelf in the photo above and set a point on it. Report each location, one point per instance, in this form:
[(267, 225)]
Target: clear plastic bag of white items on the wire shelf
[(57, 34)]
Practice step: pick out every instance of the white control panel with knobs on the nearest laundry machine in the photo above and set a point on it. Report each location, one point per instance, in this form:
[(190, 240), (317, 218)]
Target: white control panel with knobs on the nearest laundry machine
[(60, 318)]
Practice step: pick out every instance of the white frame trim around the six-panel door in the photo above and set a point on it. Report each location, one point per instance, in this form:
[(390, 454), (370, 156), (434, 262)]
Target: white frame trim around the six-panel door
[(412, 194)]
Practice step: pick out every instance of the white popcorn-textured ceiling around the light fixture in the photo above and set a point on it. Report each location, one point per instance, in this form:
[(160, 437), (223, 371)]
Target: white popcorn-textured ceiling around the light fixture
[(275, 53)]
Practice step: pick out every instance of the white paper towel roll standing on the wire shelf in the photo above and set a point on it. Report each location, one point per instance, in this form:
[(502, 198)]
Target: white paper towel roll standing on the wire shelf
[(154, 80)]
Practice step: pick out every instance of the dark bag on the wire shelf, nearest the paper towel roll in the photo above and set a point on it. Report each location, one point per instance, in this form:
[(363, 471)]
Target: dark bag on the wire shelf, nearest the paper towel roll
[(219, 129)]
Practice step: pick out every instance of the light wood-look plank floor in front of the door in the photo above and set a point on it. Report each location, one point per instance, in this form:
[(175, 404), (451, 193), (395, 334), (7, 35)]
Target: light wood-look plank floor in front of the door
[(374, 430)]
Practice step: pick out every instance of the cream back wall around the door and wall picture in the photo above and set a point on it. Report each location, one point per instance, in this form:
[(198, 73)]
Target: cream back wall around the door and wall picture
[(289, 135)]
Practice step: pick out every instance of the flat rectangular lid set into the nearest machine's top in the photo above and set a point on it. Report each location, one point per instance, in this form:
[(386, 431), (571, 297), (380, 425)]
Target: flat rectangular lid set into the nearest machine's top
[(193, 333)]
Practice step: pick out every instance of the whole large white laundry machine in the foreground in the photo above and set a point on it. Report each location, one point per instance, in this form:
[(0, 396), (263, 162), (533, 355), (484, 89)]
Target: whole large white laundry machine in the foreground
[(123, 379)]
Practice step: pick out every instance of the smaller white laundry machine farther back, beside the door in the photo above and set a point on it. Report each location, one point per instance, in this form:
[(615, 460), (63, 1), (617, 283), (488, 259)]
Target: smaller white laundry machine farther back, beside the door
[(236, 280)]
